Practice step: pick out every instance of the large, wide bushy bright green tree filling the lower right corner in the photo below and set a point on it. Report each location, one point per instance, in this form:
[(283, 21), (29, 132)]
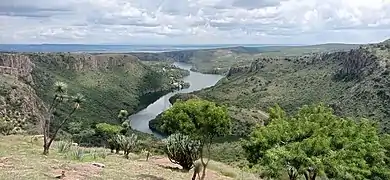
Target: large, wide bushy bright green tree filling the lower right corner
[(315, 142)]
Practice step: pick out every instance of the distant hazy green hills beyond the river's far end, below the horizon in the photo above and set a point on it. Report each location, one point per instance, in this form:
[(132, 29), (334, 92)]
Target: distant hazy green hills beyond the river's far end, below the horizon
[(219, 60)]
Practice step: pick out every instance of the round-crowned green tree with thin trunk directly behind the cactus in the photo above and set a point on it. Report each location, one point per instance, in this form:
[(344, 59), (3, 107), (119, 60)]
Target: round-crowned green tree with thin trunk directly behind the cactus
[(201, 120)]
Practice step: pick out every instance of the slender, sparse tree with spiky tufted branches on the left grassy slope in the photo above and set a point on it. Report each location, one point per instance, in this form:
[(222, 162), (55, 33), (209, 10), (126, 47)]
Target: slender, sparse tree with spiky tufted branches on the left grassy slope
[(60, 98)]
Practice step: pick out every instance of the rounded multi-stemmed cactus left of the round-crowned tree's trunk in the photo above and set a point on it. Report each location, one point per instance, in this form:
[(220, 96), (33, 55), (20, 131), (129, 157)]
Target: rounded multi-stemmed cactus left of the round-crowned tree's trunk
[(182, 150)]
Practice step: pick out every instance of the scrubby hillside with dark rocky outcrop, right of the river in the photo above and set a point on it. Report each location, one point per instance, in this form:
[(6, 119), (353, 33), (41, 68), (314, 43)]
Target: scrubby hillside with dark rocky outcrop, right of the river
[(355, 83)]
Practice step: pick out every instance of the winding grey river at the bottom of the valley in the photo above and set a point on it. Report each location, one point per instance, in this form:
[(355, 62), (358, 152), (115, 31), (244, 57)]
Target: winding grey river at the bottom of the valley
[(198, 81)]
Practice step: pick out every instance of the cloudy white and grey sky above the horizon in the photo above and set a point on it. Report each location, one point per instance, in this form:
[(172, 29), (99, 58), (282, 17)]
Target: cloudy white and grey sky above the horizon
[(194, 21)]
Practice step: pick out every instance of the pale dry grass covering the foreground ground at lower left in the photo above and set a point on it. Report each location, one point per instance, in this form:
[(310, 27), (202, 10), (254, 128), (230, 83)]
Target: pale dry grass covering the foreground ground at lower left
[(22, 159)]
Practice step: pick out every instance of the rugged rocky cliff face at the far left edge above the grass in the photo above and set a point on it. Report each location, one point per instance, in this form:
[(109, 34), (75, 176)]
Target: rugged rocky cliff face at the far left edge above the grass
[(19, 102)]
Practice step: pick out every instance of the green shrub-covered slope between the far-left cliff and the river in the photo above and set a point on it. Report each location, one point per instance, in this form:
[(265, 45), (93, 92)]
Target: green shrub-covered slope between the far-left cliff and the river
[(110, 83)]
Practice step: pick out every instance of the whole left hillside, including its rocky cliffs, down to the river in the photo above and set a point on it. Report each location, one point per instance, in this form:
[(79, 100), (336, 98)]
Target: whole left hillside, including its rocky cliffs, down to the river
[(109, 82)]
